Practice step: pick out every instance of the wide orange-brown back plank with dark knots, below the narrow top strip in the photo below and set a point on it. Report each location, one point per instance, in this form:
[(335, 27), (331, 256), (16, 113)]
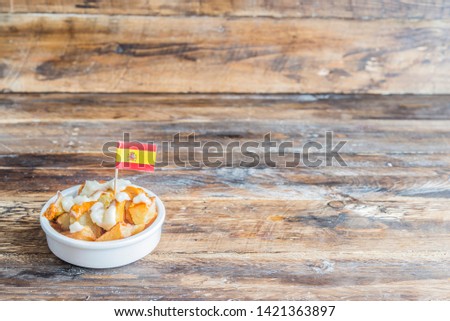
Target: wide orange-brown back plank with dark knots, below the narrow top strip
[(59, 53)]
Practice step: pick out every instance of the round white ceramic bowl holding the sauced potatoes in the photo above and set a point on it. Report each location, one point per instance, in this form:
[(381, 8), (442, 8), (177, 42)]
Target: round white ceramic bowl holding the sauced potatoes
[(106, 254)]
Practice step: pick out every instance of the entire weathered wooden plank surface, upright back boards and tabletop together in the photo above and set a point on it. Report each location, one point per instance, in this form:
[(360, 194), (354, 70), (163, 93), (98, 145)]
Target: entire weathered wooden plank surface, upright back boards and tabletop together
[(75, 74)]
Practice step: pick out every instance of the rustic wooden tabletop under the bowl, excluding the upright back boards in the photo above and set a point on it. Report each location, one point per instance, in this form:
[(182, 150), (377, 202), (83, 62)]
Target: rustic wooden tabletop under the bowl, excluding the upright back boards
[(376, 229)]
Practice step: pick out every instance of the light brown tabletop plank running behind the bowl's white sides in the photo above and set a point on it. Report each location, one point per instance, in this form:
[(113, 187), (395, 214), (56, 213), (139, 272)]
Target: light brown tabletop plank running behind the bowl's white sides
[(273, 226)]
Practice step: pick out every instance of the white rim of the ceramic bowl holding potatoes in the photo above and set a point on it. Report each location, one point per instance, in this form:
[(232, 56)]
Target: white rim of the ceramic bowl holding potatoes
[(92, 245)]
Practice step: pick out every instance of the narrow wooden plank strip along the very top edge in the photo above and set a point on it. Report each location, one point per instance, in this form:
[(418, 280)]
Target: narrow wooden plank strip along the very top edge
[(359, 9)]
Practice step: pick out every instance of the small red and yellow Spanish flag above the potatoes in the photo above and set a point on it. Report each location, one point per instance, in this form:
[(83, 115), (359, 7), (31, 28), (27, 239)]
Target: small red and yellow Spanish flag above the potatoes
[(135, 155)]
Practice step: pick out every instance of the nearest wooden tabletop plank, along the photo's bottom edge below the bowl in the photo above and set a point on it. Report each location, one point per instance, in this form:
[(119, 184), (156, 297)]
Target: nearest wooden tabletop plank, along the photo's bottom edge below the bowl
[(204, 277)]
